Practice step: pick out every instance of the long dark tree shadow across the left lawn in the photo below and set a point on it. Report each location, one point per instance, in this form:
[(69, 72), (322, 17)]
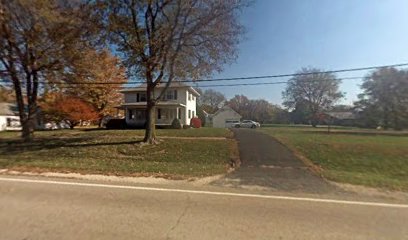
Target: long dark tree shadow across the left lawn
[(8, 147)]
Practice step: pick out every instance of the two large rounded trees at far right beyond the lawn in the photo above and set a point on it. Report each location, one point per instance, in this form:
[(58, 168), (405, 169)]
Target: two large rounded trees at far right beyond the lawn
[(382, 103)]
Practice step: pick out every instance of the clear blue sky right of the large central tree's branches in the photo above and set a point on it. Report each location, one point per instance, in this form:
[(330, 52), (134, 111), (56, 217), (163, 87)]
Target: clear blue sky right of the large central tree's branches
[(284, 36)]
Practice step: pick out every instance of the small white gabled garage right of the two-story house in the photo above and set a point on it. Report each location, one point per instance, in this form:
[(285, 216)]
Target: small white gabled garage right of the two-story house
[(222, 117)]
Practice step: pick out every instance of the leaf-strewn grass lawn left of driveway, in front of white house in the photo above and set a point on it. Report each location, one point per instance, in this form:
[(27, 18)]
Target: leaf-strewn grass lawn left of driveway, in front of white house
[(117, 152)]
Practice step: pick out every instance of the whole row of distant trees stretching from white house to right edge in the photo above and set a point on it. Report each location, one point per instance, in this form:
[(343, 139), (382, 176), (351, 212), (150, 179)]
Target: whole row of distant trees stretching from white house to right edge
[(312, 94)]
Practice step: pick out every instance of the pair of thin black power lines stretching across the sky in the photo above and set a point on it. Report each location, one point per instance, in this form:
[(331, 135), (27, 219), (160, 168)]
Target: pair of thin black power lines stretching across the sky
[(245, 78)]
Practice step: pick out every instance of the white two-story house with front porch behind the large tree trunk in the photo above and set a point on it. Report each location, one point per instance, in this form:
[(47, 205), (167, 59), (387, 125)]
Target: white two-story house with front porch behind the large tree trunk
[(179, 101)]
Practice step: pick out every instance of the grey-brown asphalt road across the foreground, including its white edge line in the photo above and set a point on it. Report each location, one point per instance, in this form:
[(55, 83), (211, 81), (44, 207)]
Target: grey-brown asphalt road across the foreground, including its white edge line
[(44, 210)]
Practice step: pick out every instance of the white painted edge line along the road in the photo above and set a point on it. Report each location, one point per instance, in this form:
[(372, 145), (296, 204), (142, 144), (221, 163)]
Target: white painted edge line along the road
[(275, 197)]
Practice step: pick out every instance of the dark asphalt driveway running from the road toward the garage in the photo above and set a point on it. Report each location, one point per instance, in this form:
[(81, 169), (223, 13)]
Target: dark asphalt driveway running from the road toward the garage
[(267, 163)]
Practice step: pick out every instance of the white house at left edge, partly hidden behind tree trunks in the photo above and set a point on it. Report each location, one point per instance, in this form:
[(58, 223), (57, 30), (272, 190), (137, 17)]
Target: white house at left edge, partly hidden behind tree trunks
[(10, 119)]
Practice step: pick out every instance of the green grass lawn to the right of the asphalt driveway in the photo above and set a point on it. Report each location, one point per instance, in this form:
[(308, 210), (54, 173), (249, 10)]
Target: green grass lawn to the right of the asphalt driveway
[(364, 157)]
